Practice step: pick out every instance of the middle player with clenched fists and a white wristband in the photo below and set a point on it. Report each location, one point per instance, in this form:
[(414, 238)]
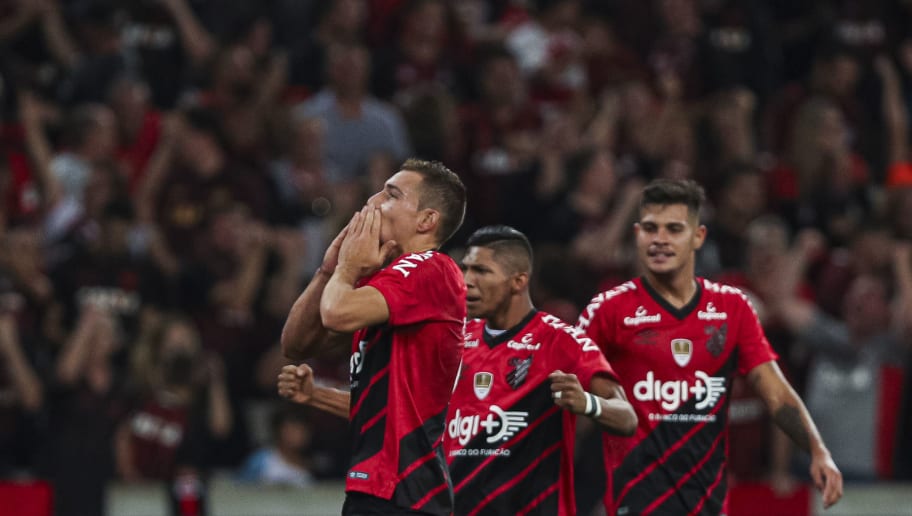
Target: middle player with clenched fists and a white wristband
[(511, 423)]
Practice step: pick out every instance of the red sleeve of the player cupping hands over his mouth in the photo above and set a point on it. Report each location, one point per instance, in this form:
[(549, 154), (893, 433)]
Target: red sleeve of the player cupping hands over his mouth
[(417, 295)]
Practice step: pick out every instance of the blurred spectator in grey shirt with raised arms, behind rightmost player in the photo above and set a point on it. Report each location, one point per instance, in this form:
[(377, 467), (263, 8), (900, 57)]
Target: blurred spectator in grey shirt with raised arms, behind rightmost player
[(846, 376)]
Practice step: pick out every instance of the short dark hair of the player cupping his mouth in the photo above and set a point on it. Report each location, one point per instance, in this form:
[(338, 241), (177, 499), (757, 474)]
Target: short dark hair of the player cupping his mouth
[(442, 190)]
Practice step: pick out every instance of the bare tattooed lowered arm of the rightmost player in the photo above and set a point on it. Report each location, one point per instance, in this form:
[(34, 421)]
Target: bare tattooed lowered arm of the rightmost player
[(792, 417)]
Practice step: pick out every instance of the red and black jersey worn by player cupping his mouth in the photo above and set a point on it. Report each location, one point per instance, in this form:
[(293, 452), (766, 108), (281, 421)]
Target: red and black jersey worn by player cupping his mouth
[(402, 374)]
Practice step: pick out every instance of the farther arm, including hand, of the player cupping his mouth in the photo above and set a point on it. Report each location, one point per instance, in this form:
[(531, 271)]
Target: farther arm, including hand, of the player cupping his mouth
[(304, 334)]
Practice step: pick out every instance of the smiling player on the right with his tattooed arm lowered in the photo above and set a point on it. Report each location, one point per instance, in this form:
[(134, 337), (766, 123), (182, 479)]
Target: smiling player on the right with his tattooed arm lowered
[(679, 340)]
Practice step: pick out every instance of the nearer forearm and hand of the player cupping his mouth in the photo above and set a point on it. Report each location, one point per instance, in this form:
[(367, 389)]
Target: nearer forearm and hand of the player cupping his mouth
[(343, 307)]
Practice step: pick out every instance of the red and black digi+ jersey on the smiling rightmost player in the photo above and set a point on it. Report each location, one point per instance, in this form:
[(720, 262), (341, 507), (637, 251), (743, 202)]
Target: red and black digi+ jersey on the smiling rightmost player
[(678, 365)]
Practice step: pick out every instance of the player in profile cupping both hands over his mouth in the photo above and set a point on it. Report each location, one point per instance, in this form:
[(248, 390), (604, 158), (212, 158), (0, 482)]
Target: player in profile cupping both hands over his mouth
[(407, 317)]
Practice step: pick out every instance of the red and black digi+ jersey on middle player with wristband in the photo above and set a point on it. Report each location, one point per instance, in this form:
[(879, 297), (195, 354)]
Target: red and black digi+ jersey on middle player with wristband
[(510, 448)]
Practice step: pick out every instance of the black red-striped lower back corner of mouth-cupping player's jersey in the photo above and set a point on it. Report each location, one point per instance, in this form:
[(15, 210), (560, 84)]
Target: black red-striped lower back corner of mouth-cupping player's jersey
[(422, 460)]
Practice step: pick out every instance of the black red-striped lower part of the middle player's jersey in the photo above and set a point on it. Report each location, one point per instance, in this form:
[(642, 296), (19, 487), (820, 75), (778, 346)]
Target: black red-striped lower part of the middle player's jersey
[(477, 477)]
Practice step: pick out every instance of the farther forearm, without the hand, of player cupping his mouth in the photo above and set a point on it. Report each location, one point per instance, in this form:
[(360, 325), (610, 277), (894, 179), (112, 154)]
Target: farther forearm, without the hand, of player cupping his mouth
[(304, 330)]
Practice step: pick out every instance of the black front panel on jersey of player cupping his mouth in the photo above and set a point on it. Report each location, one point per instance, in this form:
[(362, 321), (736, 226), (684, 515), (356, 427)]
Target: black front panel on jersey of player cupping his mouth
[(370, 399)]
